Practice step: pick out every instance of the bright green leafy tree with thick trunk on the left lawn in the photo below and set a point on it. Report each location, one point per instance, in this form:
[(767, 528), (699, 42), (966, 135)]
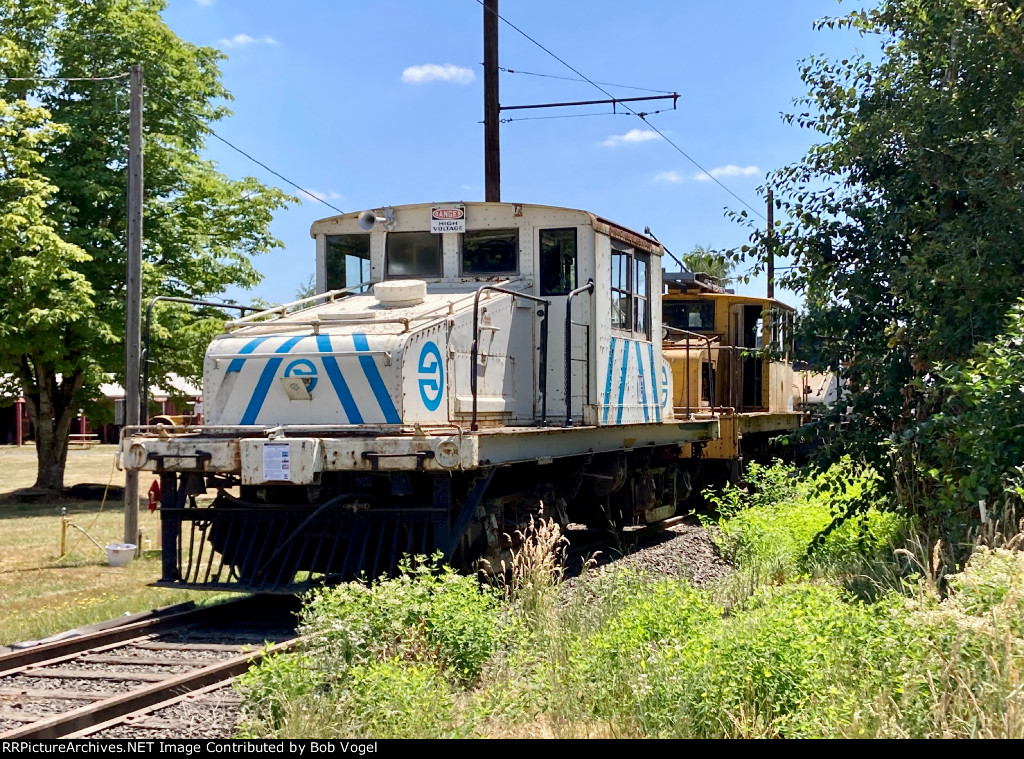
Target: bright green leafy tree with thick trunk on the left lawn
[(201, 228)]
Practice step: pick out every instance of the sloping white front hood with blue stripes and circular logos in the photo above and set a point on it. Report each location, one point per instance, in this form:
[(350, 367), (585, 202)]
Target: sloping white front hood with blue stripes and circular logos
[(349, 363)]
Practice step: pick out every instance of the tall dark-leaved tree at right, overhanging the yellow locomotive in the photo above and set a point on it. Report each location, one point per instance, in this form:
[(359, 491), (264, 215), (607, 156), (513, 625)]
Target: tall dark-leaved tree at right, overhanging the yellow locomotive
[(905, 223)]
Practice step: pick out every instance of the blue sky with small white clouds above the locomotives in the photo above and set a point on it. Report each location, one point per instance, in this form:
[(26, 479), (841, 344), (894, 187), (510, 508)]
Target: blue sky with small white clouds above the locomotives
[(378, 103)]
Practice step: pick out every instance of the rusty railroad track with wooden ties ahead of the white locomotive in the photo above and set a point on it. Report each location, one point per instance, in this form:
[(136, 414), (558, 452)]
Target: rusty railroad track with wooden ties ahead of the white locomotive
[(142, 674)]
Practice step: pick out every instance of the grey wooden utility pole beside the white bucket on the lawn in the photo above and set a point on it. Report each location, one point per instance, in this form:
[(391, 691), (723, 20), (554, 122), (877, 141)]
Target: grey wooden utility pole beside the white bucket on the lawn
[(134, 293)]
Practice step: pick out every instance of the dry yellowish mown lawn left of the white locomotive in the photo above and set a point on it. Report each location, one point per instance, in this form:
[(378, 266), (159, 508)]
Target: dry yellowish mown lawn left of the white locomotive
[(44, 593)]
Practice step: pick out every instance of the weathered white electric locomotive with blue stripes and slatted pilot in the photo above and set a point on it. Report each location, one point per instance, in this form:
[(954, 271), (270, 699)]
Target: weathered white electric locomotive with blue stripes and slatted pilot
[(464, 367)]
